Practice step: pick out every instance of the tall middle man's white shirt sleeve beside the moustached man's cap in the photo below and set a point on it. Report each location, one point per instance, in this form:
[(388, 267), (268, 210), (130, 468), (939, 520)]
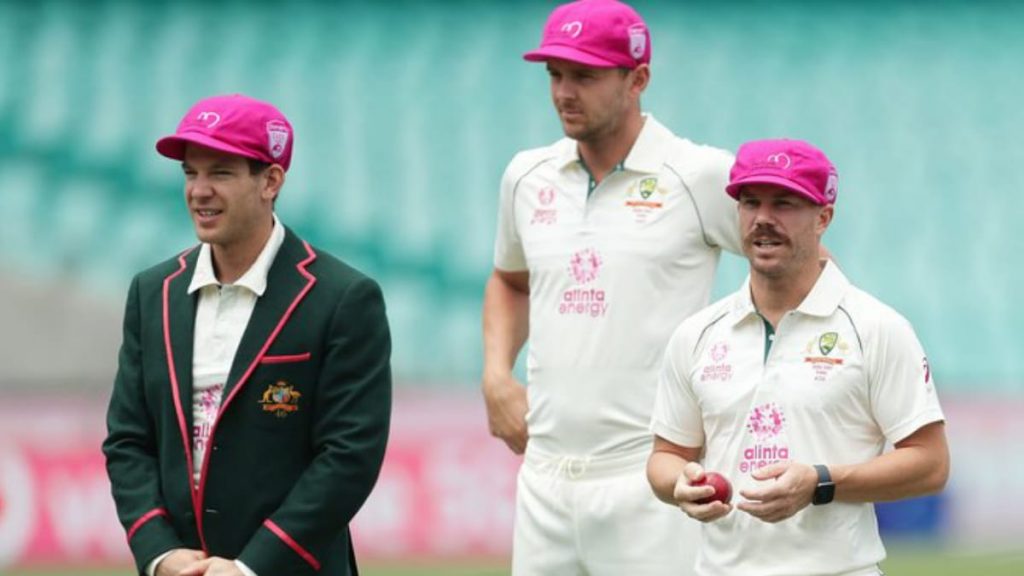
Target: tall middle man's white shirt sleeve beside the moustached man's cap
[(717, 211)]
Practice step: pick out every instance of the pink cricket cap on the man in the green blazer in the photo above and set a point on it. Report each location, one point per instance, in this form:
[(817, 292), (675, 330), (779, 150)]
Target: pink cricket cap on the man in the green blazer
[(236, 125)]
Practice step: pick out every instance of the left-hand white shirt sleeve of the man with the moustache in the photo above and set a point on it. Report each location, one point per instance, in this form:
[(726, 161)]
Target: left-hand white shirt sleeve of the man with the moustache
[(677, 415)]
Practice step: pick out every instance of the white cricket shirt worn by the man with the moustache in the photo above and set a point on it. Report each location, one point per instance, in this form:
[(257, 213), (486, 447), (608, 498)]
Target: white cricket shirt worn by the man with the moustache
[(844, 376)]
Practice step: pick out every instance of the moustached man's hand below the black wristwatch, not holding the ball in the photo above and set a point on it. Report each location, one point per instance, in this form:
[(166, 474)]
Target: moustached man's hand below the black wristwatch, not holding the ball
[(786, 489)]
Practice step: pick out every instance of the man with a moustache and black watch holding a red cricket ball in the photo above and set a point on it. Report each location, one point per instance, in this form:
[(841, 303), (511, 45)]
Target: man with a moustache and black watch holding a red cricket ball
[(792, 388)]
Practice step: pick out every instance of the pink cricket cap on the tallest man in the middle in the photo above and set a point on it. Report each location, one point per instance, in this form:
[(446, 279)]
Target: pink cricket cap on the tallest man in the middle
[(595, 33)]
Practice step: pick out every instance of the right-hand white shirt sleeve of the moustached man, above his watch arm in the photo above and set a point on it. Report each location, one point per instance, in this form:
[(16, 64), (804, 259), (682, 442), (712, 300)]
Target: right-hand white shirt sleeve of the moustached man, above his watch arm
[(904, 396)]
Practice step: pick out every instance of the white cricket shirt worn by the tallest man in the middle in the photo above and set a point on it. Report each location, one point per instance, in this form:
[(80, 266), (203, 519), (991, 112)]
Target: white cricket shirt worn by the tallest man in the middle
[(613, 272)]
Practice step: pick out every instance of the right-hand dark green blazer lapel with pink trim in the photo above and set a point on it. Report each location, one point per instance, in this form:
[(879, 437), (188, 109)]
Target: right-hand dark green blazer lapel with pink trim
[(287, 284)]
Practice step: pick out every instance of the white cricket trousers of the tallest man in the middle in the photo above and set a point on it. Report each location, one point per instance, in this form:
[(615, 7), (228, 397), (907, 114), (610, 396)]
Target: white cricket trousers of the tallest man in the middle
[(598, 517)]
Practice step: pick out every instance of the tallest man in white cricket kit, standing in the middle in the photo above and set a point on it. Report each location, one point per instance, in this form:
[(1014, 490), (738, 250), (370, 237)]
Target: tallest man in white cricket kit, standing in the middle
[(607, 240)]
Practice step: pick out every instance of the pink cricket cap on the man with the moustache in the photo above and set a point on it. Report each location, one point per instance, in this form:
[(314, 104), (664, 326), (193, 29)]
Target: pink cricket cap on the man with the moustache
[(794, 166)]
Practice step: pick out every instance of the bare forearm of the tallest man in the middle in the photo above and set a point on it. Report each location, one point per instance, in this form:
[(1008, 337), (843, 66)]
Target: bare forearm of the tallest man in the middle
[(506, 322)]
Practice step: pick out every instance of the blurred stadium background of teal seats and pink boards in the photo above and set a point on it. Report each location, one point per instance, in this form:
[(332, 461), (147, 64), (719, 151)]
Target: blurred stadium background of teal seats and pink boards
[(406, 114)]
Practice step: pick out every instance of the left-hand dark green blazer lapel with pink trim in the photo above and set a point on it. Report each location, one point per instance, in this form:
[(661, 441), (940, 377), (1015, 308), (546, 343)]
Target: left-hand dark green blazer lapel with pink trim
[(180, 323)]
